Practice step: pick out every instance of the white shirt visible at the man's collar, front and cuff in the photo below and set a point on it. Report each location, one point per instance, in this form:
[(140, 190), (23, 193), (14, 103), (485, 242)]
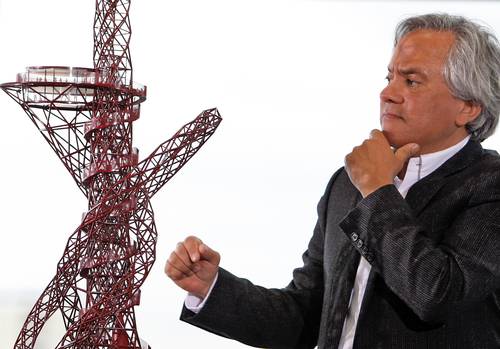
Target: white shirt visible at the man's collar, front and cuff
[(418, 168)]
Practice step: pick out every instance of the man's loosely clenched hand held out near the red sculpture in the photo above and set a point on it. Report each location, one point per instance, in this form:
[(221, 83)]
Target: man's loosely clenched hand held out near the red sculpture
[(193, 266)]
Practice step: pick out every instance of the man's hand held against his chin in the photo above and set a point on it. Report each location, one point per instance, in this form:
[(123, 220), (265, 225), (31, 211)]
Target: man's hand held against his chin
[(374, 164)]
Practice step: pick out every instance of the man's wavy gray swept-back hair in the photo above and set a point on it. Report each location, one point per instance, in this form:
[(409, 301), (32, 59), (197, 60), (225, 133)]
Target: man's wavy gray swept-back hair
[(472, 70)]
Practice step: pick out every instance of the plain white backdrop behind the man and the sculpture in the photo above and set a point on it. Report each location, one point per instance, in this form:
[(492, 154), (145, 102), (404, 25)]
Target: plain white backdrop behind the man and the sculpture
[(297, 84)]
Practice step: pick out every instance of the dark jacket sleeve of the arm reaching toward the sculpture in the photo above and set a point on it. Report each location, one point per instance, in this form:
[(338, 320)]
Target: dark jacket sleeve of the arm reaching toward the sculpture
[(270, 318)]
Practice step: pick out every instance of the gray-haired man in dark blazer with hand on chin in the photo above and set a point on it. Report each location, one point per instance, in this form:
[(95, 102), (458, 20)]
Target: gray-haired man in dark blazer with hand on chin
[(406, 250)]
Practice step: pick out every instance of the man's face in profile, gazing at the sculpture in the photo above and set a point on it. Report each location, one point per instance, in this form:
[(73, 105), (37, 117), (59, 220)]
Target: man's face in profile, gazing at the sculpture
[(416, 105)]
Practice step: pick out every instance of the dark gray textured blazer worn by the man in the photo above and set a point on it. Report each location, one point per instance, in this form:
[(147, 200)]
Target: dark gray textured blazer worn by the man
[(435, 279)]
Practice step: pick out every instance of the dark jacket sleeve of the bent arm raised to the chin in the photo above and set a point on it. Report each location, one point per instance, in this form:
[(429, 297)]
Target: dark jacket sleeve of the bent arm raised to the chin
[(430, 276)]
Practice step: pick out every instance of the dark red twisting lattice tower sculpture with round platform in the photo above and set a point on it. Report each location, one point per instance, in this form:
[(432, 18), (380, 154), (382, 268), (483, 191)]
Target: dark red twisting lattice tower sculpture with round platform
[(86, 116)]
